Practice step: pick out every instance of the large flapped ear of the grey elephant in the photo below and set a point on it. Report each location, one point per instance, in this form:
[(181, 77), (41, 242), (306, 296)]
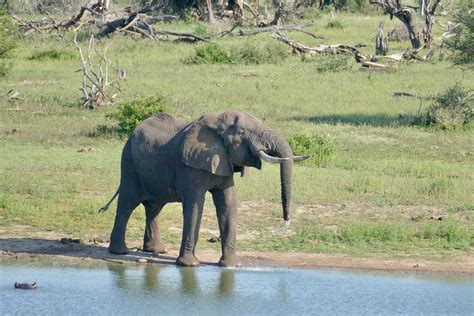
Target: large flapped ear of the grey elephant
[(204, 149)]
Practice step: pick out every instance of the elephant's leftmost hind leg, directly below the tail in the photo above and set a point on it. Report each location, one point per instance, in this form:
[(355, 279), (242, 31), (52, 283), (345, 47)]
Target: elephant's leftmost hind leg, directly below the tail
[(128, 200)]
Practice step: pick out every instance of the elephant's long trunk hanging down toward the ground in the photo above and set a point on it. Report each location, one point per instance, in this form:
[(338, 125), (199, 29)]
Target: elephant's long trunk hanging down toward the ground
[(281, 148)]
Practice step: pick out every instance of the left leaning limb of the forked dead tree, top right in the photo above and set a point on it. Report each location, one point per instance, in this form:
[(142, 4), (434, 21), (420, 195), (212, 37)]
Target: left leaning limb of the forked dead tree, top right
[(404, 14)]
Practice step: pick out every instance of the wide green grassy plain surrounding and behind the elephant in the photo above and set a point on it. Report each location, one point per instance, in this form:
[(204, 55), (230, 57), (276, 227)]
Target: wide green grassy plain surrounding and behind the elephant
[(390, 188)]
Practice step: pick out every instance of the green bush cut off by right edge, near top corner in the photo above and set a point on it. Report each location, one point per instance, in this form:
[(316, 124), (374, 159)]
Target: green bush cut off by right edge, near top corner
[(462, 42)]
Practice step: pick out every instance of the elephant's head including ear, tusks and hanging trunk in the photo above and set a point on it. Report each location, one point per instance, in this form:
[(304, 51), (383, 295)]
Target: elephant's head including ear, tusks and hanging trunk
[(230, 142)]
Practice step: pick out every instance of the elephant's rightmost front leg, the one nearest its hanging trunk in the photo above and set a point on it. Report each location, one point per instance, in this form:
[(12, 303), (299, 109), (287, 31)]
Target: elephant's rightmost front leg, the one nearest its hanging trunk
[(225, 201)]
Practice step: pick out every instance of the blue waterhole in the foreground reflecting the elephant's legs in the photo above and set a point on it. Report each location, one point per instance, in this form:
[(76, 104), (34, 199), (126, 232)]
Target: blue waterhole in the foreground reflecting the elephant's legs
[(164, 290)]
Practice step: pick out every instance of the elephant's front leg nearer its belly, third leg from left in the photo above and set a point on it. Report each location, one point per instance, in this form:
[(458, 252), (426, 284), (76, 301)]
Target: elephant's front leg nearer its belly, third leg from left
[(193, 204)]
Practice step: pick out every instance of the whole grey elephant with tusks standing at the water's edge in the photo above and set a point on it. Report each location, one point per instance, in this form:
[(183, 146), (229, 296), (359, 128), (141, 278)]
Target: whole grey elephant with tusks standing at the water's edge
[(166, 161)]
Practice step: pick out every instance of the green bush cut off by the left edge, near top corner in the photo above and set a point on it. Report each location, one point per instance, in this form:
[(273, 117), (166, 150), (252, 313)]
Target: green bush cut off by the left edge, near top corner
[(8, 40)]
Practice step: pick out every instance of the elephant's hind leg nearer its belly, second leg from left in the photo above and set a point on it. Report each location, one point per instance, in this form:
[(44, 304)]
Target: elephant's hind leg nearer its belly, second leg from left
[(152, 239)]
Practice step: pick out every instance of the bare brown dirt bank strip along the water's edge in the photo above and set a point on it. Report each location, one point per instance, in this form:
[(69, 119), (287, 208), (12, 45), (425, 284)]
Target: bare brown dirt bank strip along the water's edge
[(26, 248)]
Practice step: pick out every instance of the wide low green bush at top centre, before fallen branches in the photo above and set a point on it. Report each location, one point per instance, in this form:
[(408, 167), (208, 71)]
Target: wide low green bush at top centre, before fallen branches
[(249, 53)]
